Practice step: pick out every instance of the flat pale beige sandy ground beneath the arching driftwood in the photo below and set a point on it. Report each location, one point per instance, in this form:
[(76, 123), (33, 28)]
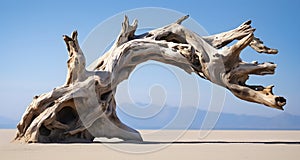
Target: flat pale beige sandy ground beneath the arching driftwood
[(191, 144)]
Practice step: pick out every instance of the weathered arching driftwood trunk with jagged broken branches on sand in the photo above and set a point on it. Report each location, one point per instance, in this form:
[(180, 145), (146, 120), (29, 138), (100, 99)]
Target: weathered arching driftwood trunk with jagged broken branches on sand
[(85, 108)]
